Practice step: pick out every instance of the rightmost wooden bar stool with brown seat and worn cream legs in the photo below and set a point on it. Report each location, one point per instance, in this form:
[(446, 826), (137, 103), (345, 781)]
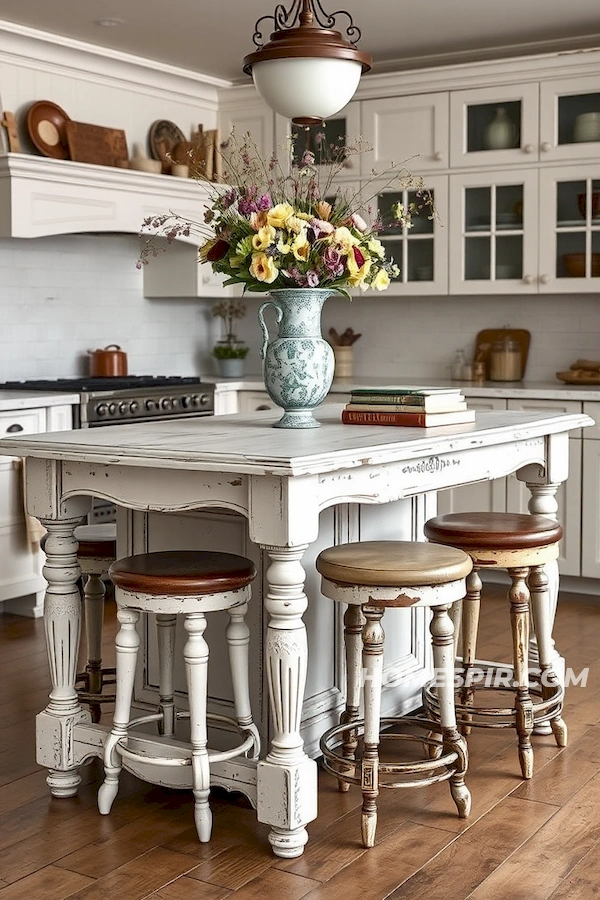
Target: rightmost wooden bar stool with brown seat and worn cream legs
[(522, 544)]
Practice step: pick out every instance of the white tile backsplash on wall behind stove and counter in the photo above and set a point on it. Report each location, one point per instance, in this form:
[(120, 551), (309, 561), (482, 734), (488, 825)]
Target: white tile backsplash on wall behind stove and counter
[(60, 297)]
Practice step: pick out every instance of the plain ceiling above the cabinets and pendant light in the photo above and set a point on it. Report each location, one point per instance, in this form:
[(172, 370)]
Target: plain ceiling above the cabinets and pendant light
[(212, 36)]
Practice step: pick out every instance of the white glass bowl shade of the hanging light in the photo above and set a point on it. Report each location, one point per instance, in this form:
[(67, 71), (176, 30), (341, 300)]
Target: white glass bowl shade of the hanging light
[(306, 87)]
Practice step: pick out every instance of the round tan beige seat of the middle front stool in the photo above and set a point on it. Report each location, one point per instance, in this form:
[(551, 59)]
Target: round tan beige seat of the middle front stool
[(393, 564)]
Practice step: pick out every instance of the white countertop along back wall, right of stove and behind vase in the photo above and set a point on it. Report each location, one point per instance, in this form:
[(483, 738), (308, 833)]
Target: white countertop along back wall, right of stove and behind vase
[(550, 390)]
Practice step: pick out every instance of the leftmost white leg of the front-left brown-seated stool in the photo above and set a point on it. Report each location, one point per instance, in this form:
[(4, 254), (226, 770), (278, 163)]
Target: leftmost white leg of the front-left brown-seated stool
[(127, 643)]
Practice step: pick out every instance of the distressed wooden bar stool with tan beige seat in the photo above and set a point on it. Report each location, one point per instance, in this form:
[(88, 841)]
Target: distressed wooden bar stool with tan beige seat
[(372, 577)]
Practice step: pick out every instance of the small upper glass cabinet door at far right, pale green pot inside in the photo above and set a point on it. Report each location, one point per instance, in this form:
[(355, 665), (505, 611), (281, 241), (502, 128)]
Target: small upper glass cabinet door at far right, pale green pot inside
[(570, 118)]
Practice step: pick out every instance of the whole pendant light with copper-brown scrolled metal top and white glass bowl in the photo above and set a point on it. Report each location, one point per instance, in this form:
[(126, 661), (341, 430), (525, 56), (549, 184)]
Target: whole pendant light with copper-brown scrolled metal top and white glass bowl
[(306, 71)]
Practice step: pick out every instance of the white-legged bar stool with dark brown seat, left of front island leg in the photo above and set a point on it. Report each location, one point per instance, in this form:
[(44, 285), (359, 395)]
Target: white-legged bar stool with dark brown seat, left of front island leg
[(191, 584)]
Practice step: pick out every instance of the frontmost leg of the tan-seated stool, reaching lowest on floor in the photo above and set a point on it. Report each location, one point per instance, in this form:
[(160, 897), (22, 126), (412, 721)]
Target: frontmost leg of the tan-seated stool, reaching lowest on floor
[(373, 639)]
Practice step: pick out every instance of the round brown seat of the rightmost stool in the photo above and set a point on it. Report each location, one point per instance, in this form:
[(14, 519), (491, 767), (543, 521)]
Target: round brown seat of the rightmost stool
[(498, 531)]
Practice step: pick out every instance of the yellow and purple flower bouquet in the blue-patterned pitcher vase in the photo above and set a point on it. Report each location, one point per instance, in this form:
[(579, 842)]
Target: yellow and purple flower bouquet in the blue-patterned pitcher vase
[(280, 227)]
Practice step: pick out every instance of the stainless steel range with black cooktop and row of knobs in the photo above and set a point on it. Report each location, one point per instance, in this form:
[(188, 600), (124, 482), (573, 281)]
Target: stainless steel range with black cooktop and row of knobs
[(133, 398)]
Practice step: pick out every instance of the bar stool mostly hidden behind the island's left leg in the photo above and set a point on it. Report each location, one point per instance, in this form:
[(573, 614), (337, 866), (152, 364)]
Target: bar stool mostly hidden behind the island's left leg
[(97, 550)]
